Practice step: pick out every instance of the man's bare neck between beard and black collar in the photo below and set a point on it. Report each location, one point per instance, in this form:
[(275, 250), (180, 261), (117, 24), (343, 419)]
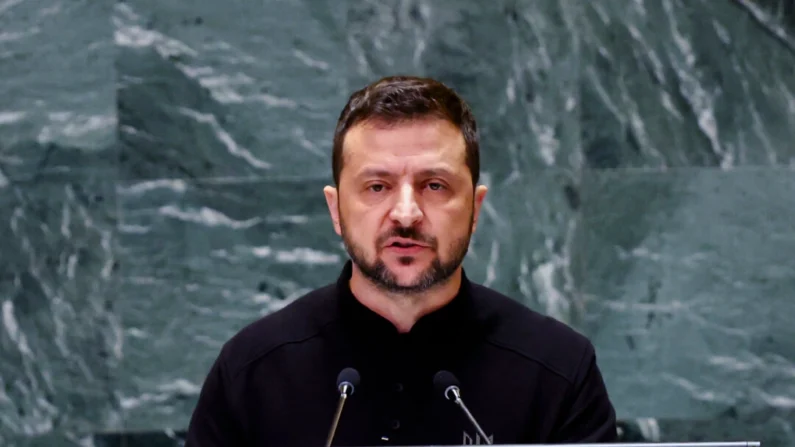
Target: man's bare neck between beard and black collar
[(403, 311)]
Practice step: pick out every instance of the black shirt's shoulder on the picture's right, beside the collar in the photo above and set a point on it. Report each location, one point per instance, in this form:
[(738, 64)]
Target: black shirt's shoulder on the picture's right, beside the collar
[(514, 327)]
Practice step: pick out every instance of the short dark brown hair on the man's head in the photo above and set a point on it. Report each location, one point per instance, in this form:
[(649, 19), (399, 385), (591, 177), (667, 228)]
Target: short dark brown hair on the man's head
[(397, 99)]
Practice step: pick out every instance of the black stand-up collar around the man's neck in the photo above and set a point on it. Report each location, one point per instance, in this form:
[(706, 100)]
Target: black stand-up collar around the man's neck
[(449, 322)]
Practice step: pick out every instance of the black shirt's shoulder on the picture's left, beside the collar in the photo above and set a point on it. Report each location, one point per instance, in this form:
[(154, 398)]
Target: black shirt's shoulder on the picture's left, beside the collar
[(301, 320)]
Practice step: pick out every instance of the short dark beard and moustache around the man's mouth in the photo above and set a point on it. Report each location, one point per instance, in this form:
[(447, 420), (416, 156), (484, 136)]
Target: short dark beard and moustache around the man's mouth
[(378, 273)]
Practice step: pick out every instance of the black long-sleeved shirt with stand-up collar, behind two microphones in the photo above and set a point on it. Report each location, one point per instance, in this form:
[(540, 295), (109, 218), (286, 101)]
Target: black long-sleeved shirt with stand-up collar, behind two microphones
[(525, 377)]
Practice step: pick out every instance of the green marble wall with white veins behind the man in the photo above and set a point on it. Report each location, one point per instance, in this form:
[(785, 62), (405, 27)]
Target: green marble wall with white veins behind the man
[(161, 167)]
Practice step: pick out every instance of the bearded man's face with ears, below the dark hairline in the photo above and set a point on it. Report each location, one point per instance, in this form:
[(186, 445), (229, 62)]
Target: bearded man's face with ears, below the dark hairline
[(405, 207)]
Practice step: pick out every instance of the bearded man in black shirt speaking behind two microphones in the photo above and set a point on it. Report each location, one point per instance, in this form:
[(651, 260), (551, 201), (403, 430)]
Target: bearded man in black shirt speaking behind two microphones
[(406, 201)]
